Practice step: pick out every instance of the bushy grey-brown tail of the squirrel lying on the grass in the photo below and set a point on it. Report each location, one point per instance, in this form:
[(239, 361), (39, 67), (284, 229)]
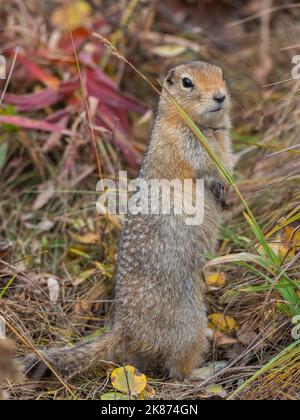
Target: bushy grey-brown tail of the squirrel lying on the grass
[(71, 361)]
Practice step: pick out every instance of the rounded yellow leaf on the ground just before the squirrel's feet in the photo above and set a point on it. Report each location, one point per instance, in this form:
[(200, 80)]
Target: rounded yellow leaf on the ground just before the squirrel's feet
[(128, 380)]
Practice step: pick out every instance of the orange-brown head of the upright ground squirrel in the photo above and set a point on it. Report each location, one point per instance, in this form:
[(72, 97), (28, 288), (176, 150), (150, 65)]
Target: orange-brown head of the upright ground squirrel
[(200, 89)]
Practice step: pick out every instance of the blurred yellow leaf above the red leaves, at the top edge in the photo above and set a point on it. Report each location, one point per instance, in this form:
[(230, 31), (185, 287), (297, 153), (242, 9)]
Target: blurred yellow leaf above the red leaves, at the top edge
[(77, 12)]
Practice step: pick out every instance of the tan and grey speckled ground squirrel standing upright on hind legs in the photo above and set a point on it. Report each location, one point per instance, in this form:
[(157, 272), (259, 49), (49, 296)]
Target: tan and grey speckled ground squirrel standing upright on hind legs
[(159, 315)]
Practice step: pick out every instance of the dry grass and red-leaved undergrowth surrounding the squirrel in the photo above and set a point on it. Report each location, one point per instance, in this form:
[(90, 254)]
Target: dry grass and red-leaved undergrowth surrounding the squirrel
[(47, 201)]
